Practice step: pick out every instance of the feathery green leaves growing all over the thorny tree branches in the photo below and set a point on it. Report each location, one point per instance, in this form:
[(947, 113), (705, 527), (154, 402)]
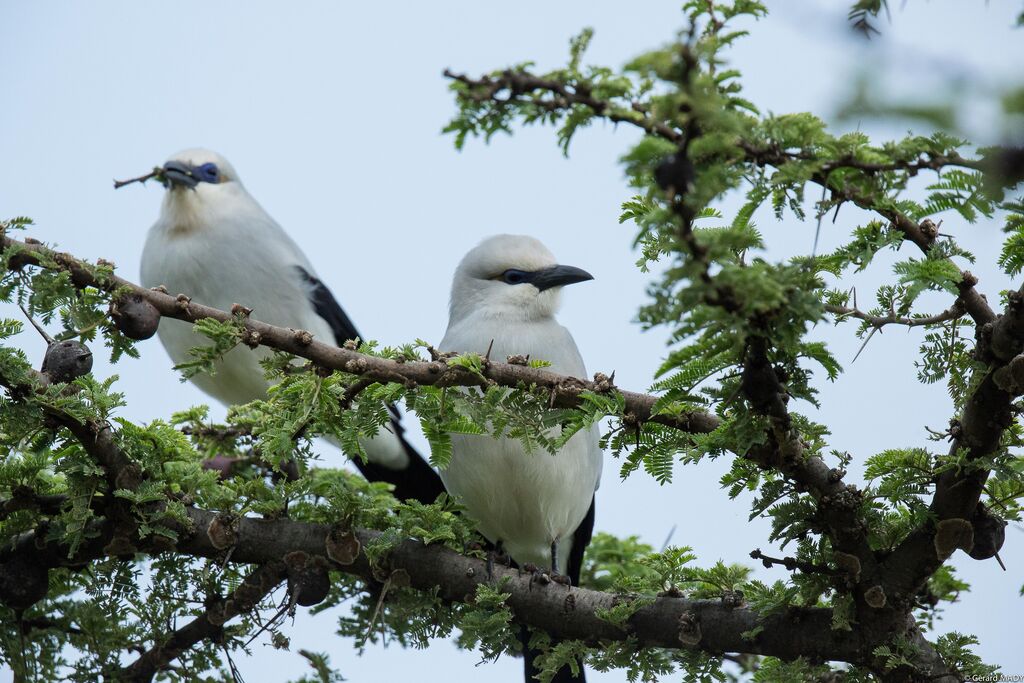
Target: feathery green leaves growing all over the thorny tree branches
[(715, 287)]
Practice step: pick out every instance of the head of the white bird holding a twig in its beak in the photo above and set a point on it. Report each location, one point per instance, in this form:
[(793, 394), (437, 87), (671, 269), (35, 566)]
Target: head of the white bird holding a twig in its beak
[(198, 182)]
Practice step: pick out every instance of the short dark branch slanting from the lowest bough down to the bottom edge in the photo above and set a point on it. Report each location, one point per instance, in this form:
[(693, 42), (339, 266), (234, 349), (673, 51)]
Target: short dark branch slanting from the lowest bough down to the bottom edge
[(208, 626)]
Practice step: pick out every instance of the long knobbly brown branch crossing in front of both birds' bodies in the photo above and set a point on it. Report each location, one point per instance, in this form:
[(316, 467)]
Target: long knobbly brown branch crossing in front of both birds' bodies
[(565, 392)]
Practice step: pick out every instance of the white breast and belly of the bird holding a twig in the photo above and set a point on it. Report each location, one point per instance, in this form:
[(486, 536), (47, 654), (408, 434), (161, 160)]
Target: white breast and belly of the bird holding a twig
[(220, 247)]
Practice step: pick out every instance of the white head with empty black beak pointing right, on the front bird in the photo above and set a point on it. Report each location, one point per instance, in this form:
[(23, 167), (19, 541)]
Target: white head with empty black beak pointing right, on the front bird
[(514, 277)]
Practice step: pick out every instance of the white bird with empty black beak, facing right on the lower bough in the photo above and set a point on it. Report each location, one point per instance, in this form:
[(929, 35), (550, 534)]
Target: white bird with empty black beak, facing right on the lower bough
[(538, 507)]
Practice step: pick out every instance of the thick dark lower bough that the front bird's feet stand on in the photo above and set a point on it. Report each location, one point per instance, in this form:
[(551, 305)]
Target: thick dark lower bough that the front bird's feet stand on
[(567, 613)]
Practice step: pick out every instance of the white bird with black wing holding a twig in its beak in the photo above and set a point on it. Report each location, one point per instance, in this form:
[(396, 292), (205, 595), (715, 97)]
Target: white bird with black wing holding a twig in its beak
[(215, 243)]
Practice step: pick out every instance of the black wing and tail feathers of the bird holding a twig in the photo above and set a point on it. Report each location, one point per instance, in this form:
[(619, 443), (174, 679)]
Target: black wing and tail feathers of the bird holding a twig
[(418, 481)]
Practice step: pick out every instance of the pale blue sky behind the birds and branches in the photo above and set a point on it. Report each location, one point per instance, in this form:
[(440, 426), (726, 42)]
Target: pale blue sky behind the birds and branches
[(331, 113)]
